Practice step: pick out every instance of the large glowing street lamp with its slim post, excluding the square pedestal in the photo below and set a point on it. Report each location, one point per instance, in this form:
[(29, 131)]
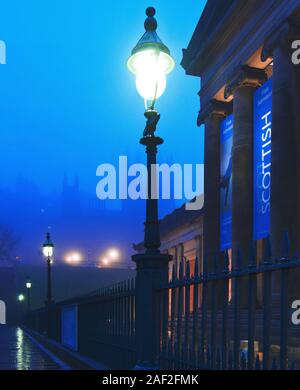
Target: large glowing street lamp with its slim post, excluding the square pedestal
[(151, 61)]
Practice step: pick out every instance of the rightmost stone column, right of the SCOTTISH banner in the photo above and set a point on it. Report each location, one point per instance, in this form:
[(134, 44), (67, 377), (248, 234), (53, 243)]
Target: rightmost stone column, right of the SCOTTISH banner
[(285, 171)]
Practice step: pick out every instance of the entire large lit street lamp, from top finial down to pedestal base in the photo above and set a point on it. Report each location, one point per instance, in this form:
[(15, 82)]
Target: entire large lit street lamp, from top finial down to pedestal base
[(150, 61)]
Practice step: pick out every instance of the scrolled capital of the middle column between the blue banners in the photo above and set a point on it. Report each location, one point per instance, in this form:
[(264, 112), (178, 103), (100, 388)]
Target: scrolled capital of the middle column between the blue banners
[(245, 76)]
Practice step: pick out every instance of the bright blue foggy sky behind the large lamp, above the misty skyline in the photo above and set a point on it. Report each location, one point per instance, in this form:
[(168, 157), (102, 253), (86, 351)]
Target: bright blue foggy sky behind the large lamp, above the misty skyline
[(68, 102)]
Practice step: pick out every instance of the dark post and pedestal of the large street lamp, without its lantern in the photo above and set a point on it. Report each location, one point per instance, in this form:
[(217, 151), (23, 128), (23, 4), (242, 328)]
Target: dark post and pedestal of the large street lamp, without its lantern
[(152, 266)]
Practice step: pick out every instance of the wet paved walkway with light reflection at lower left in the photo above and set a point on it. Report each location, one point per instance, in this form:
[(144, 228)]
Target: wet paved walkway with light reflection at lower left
[(19, 352)]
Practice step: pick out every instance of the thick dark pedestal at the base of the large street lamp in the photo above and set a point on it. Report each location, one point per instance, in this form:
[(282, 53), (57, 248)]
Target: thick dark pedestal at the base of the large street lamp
[(152, 274)]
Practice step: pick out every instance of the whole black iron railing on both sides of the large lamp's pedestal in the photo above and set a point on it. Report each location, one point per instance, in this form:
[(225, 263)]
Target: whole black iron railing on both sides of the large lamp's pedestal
[(239, 317)]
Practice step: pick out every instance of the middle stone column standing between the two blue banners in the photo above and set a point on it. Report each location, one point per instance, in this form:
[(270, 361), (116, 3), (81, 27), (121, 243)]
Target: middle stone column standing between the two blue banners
[(242, 87)]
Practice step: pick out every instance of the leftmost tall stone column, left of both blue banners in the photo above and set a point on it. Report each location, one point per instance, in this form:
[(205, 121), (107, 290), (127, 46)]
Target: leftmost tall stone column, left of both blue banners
[(212, 115)]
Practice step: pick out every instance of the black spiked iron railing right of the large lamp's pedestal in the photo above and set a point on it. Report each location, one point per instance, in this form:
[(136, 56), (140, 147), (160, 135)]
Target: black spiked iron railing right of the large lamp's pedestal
[(215, 321)]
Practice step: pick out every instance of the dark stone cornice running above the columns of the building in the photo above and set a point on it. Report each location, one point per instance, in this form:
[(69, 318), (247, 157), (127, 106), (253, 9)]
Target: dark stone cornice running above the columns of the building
[(238, 39)]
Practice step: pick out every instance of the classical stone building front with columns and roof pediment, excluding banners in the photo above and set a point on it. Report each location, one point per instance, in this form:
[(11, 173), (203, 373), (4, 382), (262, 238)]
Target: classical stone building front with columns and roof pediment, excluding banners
[(236, 48)]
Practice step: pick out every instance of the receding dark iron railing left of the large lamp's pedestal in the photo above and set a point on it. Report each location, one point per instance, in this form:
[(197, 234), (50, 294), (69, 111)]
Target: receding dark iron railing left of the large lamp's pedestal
[(105, 324)]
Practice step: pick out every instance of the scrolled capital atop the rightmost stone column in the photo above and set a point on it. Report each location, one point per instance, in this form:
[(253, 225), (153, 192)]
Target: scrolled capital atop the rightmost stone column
[(289, 30)]
